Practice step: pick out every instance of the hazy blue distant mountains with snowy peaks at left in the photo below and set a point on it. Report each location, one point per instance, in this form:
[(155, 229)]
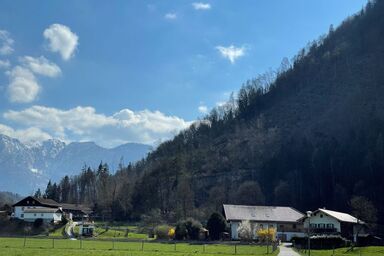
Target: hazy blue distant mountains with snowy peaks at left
[(24, 168)]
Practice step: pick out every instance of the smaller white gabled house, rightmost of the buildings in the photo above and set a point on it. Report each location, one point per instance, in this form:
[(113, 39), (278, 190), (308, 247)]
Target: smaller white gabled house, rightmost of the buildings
[(324, 222)]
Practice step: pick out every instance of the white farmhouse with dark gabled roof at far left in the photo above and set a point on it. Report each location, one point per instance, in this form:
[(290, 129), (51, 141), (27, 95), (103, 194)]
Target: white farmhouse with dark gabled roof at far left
[(30, 208)]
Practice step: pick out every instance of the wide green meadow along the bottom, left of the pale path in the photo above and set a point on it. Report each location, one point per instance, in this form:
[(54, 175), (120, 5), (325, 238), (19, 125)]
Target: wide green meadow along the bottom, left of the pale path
[(64, 247)]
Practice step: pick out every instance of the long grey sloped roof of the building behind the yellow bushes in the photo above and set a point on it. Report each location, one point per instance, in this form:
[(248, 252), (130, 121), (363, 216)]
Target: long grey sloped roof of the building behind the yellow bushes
[(261, 213)]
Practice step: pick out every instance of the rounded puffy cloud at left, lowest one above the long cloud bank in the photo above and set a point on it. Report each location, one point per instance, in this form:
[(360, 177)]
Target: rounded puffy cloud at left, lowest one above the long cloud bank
[(23, 86)]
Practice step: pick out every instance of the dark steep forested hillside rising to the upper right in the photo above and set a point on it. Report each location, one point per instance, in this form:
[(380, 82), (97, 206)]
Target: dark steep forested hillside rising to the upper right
[(307, 135)]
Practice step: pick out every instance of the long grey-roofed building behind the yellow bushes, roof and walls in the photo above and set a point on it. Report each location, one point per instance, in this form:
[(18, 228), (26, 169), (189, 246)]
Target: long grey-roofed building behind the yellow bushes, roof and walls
[(285, 220)]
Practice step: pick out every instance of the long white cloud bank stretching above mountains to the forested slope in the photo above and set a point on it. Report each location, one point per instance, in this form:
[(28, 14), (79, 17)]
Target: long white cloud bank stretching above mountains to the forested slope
[(84, 123)]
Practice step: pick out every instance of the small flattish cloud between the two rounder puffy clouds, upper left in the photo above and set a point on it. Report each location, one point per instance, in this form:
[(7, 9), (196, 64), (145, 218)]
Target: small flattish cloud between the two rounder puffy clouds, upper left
[(41, 66)]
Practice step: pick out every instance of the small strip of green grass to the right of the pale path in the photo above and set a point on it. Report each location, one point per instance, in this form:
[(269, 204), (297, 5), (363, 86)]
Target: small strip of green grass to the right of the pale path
[(358, 251)]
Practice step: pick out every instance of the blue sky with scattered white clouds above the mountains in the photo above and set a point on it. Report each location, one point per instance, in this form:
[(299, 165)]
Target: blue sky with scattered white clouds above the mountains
[(140, 71)]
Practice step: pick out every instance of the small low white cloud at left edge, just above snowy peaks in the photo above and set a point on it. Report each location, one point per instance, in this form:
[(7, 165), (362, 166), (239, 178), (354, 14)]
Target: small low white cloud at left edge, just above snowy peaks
[(26, 135)]
